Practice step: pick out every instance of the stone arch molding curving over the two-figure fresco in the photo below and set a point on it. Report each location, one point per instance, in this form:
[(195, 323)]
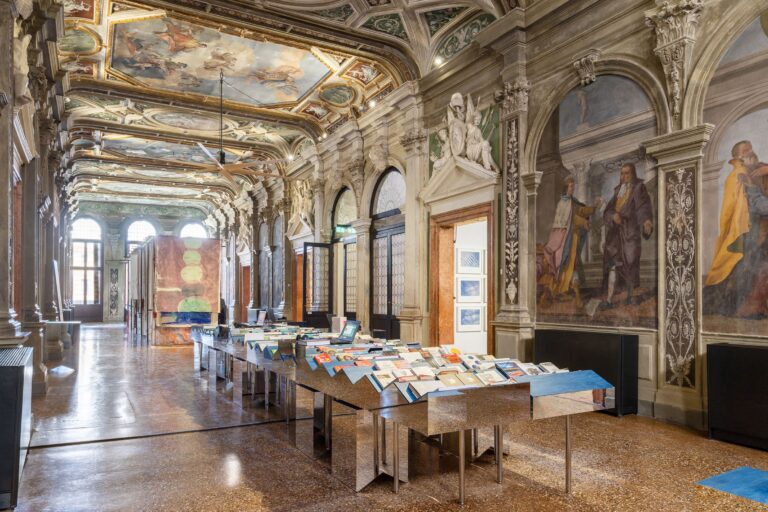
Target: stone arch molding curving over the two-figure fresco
[(623, 66)]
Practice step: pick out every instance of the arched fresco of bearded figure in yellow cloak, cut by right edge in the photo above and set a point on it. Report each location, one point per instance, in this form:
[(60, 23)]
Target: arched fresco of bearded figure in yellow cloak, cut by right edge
[(735, 186)]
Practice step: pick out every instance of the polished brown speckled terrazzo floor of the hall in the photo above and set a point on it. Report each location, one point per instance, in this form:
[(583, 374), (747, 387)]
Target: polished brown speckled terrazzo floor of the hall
[(623, 464)]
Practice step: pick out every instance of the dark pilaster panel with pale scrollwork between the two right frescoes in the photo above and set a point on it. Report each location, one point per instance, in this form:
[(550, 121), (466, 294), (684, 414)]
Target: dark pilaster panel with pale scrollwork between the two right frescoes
[(680, 315)]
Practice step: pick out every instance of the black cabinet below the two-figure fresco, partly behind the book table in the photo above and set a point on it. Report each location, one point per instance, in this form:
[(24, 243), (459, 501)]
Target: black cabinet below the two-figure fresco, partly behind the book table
[(612, 356)]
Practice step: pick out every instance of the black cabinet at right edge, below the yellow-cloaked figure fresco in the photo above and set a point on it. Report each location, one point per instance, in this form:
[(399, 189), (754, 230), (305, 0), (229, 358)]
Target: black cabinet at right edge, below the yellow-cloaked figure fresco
[(737, 392)]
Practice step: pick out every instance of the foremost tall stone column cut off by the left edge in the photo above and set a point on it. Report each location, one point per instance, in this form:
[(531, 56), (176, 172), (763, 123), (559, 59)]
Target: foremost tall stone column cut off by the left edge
[(10, 329)]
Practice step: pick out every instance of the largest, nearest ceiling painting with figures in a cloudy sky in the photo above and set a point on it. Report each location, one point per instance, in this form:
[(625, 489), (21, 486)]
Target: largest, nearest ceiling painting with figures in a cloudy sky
[(171, 54)]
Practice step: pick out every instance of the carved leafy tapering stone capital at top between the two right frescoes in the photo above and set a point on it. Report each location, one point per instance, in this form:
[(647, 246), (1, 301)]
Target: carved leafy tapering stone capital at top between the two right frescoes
[(675, 24)]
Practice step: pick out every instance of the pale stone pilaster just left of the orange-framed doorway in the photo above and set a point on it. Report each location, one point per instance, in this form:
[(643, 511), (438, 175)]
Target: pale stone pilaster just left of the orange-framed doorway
[(412, 321)]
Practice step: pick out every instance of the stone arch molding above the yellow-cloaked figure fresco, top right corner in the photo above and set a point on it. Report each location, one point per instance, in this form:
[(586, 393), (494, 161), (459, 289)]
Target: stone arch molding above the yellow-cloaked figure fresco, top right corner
[(727, 28)]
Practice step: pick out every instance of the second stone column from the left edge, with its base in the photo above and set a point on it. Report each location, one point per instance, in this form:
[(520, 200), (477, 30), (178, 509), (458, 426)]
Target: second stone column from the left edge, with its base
[(30, 272)]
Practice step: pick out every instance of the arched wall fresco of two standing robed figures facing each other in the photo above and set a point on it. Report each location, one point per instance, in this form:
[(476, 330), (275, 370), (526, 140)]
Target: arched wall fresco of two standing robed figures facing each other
[(596, 209)]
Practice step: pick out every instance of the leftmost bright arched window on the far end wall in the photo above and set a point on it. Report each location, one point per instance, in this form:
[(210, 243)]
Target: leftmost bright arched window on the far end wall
[(86, 261)]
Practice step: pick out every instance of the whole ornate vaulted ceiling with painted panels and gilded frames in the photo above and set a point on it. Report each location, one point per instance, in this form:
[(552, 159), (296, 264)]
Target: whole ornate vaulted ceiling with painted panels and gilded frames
[(145, 83)]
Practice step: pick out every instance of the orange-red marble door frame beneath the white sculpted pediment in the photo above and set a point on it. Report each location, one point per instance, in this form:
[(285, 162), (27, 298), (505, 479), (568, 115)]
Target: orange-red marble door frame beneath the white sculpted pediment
[(447, 220)]
